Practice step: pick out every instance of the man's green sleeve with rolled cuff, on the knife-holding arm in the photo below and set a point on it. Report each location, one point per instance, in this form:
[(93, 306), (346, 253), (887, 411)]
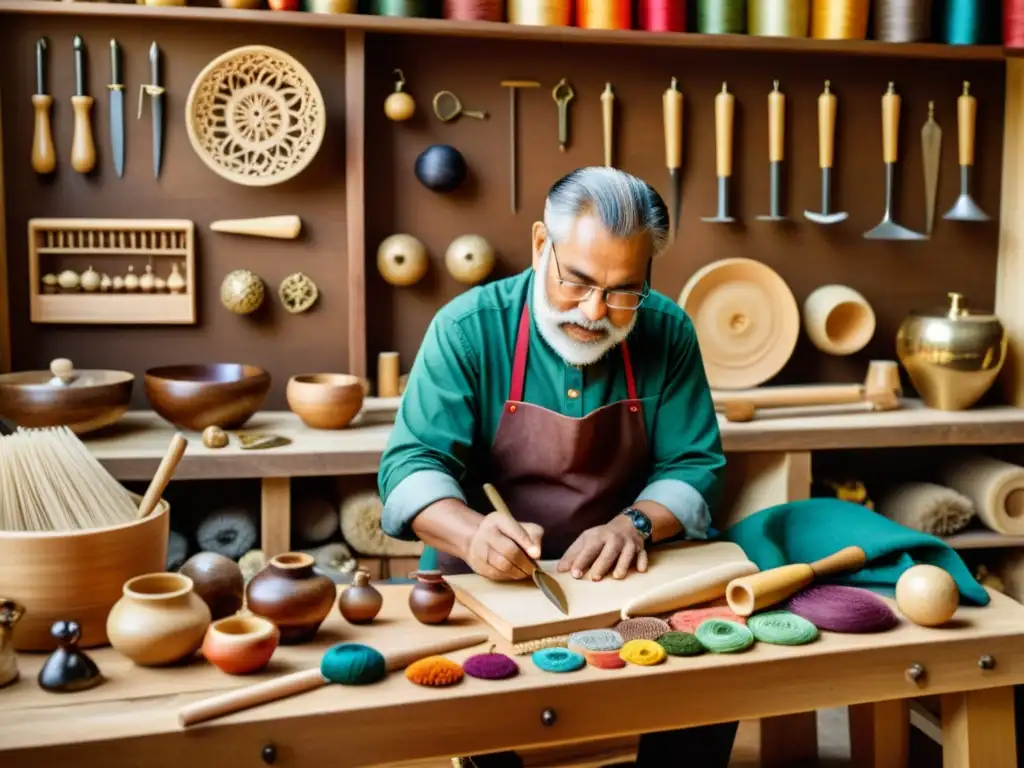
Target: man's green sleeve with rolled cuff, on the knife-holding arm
[(426, 454)]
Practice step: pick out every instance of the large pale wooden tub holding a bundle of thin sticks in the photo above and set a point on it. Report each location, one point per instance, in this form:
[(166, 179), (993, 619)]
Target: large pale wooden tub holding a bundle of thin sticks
[(77, 576)]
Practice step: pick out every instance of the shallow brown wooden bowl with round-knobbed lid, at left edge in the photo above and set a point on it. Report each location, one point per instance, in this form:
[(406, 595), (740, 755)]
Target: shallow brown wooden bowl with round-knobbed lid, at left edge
[(97, 400)]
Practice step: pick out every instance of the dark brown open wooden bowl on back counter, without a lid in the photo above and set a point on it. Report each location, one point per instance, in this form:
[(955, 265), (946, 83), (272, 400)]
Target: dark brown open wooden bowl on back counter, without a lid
[(223, 395)]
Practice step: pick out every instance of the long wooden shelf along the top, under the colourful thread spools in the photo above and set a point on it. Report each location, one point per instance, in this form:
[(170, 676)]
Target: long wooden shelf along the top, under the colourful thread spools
[(501, 31)]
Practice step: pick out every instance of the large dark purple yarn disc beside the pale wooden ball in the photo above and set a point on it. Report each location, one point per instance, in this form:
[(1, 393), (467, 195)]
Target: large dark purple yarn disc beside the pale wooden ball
[(838, 609)]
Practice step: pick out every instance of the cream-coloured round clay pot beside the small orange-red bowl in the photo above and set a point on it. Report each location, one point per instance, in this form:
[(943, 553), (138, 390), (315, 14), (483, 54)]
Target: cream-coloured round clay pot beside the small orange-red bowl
[(159, 621)]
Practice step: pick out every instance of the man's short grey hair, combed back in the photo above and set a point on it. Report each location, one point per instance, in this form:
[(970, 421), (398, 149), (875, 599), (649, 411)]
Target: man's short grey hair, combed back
[(625, 204)]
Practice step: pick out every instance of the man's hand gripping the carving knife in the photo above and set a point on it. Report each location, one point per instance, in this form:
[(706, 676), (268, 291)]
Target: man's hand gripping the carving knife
[(496, 549)]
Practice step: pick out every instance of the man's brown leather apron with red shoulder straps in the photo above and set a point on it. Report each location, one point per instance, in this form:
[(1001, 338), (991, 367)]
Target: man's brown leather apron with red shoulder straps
[(564, 474)]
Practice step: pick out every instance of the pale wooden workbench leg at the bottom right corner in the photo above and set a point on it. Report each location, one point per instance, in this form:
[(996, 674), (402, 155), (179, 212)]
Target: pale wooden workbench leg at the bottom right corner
[(978, 730)]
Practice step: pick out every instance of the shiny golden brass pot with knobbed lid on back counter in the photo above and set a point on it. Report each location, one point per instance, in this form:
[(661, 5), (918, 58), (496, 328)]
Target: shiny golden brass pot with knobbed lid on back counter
[(952, 356)]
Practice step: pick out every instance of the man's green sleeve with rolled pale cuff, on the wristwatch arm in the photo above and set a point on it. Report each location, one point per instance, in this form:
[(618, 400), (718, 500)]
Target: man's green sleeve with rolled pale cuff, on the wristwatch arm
[(687, 446)]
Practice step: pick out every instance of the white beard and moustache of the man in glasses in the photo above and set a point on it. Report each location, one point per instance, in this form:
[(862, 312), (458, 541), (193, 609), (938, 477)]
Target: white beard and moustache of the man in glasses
[(549, 323)]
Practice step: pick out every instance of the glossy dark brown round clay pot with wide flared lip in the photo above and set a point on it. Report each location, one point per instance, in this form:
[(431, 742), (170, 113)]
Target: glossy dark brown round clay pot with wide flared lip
[(290, 594)]
